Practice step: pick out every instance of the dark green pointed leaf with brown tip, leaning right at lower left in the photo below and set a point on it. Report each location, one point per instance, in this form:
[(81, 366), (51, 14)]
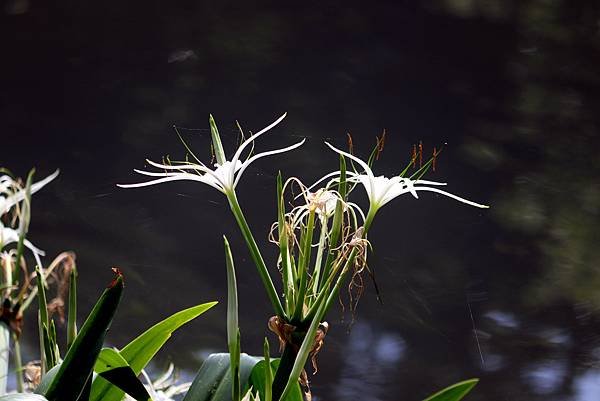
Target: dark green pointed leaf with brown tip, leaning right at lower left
[(76, 369)]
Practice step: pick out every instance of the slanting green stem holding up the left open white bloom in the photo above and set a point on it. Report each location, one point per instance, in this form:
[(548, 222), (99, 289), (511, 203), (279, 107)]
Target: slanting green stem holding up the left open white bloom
[(255, 254)]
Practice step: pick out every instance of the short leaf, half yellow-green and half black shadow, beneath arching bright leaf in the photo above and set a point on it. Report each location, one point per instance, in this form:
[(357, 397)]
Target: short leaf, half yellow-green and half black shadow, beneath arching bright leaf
[(111, 366)]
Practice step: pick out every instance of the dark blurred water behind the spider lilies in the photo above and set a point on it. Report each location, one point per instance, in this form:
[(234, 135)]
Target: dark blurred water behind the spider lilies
[(510, 295)]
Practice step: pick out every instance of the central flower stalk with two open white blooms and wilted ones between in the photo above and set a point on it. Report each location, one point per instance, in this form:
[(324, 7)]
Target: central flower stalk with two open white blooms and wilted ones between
[(322, 241)]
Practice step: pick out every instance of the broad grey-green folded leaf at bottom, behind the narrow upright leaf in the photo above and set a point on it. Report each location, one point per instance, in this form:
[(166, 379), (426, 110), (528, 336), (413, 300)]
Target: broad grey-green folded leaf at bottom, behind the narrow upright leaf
[(213, 380)]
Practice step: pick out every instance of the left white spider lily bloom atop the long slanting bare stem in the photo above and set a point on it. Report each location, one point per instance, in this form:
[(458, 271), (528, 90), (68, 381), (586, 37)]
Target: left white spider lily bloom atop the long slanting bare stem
[(226, 174)]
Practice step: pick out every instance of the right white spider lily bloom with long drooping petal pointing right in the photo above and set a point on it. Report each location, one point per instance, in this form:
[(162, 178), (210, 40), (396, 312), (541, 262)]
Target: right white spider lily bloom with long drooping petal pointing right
[(381, 190)]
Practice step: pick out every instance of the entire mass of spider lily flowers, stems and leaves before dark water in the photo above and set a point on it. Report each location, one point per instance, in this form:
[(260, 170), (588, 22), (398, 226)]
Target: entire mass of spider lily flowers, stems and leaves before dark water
[(321, 236)]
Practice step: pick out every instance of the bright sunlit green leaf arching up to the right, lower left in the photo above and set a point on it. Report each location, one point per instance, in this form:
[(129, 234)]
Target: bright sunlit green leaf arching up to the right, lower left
[(141, 350)]
